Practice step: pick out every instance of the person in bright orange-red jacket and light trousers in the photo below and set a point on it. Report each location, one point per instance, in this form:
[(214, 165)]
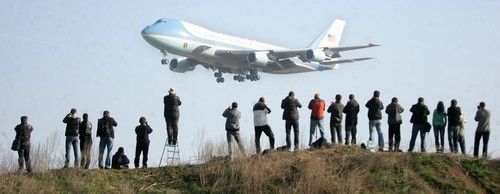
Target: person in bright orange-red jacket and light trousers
[(317, 107)]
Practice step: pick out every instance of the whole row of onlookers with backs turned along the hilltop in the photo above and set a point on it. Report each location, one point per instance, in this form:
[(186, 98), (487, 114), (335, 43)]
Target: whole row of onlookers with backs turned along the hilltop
[(79, 131)]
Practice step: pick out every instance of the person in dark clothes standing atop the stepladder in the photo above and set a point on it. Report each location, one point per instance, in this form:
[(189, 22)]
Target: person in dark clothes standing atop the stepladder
[(171, 114)]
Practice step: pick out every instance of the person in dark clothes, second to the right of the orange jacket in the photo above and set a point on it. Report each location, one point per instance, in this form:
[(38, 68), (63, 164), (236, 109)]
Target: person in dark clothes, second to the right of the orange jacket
[(351, 111)]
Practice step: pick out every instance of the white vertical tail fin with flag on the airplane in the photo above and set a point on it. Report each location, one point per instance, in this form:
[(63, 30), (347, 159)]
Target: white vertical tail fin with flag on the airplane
[(330, 37)]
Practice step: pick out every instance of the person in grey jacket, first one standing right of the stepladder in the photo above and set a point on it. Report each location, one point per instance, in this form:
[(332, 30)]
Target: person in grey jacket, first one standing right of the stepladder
[(233, 115)]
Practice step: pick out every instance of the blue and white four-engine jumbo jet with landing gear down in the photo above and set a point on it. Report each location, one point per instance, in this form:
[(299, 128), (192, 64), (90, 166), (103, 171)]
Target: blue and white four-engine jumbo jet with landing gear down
[(222, 53)]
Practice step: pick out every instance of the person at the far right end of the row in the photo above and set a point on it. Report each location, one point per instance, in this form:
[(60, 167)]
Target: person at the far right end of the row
[(483, 129)]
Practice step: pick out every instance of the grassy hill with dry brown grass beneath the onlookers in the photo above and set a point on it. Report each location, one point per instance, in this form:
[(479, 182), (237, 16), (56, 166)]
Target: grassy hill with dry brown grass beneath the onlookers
[(333, 170)]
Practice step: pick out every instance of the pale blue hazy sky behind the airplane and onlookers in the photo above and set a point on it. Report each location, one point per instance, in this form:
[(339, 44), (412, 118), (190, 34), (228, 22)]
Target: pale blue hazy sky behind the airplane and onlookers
[(56, 55)]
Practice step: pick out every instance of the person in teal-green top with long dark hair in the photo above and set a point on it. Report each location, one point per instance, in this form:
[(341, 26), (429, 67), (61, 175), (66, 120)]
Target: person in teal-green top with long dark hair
[(439, 121)]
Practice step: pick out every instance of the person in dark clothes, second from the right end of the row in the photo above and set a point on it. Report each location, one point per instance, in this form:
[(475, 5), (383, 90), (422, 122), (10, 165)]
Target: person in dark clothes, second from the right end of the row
[(454, 113)]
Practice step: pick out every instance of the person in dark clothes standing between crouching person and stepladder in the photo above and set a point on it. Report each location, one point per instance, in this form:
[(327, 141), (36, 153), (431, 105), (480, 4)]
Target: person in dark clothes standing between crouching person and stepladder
[(142, 145)]
